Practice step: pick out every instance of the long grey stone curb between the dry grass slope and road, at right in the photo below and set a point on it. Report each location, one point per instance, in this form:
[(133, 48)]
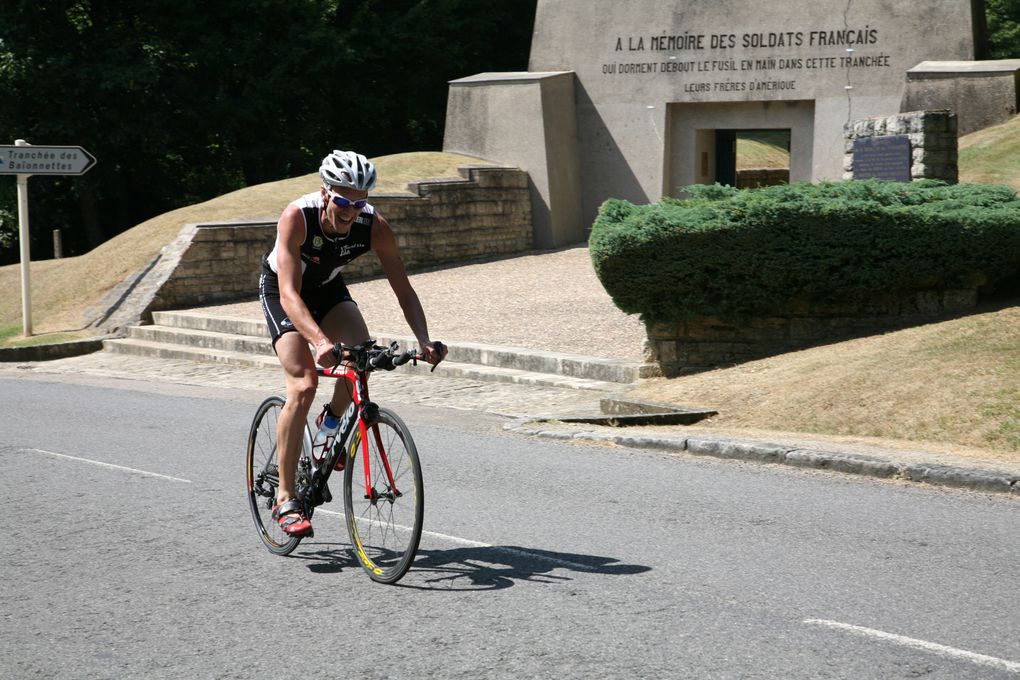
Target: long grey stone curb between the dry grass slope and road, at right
[(872, 466)]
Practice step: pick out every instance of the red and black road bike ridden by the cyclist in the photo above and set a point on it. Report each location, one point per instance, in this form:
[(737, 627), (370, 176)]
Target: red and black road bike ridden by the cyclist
[(384, 500)]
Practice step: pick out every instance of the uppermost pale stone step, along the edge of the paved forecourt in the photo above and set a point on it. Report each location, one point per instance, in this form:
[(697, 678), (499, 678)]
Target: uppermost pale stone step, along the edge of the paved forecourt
[(532, 361)]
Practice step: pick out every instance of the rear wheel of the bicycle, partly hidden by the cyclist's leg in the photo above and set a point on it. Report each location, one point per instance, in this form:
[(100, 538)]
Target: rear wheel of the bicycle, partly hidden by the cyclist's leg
[(264, 476)]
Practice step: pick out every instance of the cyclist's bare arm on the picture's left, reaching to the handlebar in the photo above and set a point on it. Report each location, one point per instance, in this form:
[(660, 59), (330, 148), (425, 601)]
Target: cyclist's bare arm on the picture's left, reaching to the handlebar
[(290, 236)]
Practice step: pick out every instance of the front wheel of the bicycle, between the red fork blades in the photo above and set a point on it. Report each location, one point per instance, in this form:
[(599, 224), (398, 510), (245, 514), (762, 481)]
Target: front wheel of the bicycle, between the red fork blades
[(384, 498)]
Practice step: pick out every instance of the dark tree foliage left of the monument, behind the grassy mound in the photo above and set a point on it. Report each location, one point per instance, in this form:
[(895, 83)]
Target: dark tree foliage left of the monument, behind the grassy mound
[(182, 101)]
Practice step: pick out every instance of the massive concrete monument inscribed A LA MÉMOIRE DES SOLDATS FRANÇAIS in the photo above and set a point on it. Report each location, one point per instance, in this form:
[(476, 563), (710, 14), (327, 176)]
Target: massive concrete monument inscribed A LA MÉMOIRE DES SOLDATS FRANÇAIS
[(636, 99)]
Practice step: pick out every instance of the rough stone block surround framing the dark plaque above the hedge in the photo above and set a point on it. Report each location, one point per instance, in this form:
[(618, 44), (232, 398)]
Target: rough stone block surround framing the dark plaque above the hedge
[(933, 136)]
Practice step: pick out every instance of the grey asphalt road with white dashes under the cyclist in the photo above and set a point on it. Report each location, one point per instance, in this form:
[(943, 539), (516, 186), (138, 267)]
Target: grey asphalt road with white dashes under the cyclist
[(131, 554)]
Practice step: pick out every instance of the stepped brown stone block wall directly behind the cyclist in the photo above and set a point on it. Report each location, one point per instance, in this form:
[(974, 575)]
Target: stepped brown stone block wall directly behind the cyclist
[(485, 215)]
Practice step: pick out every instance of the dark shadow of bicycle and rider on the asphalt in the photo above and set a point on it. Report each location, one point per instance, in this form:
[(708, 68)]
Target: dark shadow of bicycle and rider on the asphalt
[(483, 568)]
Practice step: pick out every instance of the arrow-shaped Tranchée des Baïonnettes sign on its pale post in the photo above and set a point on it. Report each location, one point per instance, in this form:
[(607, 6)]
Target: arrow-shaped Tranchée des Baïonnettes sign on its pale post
[(25, 160)]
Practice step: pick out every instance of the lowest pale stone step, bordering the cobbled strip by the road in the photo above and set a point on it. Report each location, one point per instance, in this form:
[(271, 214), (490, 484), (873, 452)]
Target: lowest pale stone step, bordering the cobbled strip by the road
[(140, 346)]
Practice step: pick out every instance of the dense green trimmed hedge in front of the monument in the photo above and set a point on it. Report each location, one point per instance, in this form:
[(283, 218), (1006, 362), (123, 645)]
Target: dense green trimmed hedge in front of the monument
[(738, 253)]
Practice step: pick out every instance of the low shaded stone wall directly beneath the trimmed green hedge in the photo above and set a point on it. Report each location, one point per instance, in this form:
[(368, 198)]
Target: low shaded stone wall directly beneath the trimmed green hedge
[(706, 343)]
